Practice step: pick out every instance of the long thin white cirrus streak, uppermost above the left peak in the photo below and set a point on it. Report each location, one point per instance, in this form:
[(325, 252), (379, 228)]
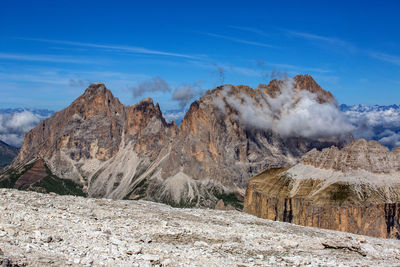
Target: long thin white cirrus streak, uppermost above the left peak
[(120, 48)]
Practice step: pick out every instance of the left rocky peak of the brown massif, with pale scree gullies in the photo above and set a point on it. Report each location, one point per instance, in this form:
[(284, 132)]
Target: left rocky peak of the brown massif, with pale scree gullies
[(100, 143)]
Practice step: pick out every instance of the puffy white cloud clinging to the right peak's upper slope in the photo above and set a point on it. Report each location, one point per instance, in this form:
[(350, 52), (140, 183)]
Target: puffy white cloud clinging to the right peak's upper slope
[(291, 113)]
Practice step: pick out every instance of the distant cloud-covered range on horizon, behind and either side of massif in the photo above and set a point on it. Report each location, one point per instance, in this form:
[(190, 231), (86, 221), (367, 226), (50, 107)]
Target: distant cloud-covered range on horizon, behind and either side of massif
[(372, 122)]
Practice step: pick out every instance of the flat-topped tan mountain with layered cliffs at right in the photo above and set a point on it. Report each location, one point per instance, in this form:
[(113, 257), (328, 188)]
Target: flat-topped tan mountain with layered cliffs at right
[(354, 189)]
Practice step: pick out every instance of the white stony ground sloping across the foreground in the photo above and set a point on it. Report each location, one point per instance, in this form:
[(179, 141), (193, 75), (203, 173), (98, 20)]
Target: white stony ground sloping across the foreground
[(51, 230)]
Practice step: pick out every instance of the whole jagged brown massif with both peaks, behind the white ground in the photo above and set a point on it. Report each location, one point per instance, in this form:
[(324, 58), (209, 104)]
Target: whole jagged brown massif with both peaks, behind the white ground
[(118, 151)]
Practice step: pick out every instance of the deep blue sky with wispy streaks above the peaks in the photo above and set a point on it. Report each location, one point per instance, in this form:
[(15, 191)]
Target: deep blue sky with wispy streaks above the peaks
[(51, 50)]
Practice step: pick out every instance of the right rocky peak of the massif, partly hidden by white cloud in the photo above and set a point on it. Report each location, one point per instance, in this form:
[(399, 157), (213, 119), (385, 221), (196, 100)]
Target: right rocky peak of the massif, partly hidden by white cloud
[(212, 142)]
